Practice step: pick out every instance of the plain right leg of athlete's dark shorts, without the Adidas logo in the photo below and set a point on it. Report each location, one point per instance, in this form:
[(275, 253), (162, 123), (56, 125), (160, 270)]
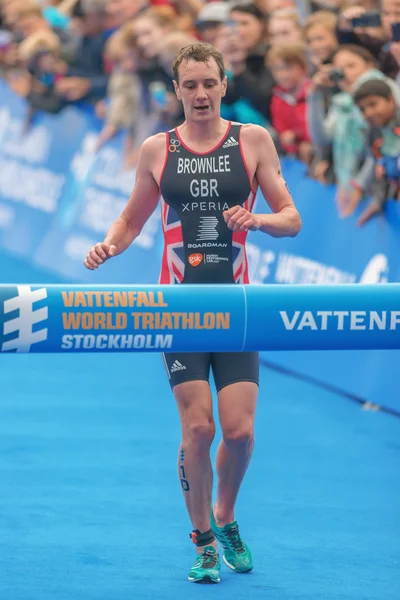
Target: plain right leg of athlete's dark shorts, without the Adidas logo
[(232, 367)]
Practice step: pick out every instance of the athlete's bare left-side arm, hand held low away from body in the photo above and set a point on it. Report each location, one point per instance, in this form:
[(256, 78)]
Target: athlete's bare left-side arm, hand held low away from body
[(141, 204)]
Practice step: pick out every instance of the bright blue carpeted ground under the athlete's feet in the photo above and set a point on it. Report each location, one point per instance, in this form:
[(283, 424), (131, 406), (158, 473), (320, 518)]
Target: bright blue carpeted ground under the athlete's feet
[(91, 508)]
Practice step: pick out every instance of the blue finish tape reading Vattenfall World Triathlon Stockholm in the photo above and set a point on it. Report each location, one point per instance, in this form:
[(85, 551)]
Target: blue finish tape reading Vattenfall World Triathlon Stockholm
[(195, 318)]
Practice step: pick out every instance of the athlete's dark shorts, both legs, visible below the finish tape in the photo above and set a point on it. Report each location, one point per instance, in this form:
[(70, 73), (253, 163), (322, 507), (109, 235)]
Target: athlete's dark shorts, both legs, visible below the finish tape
[(227, 367)]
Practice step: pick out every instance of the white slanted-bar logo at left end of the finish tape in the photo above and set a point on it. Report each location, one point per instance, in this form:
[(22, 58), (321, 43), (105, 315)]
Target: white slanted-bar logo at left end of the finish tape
[(20, 331)]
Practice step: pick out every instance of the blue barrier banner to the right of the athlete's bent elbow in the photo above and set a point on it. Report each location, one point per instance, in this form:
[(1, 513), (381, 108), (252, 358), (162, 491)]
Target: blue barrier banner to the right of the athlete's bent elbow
[(328, 250)]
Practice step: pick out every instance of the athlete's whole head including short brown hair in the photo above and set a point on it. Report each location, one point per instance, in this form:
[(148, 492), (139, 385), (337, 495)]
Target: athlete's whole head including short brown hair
[(200, 80)]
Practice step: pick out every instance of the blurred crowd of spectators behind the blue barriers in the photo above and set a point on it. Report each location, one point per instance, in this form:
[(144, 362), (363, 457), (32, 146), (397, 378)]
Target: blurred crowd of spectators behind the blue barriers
[(321, 75)]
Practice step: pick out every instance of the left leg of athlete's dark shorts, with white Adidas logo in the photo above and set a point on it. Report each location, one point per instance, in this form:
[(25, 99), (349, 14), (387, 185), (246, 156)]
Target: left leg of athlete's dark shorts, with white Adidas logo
[(187, 366)]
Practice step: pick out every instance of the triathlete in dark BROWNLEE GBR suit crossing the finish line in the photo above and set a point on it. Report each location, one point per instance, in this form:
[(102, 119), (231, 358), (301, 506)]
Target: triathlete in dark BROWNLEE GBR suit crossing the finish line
[(207, 171)]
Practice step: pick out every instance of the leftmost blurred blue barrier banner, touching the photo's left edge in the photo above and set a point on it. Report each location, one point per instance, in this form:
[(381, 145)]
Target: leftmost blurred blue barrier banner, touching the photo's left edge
[(34, 162)]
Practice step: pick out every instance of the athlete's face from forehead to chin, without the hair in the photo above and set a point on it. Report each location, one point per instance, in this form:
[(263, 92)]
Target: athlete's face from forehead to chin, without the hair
[(200, 89)]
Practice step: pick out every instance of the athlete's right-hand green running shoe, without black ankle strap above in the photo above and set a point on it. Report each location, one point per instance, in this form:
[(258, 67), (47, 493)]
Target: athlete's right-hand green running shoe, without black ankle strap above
[(236, 555)]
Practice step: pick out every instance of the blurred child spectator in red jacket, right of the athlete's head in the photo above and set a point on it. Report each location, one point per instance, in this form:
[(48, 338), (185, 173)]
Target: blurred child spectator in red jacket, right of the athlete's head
[(288, 64)]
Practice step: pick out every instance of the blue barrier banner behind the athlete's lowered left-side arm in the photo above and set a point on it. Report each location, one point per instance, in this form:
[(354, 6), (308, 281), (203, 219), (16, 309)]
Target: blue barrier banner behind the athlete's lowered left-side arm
[(96, 193)]
